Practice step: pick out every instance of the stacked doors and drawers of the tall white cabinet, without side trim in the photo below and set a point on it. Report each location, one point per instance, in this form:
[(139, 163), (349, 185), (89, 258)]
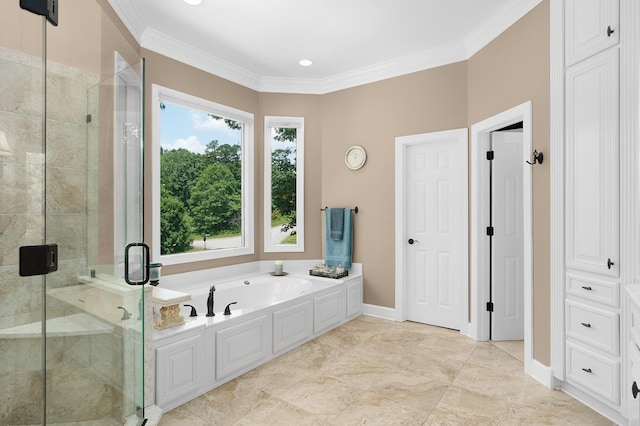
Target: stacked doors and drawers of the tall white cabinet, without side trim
[(592, 279)]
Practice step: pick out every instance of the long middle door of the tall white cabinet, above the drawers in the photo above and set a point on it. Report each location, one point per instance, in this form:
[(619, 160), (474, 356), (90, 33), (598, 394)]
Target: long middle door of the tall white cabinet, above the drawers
[(592, 143)]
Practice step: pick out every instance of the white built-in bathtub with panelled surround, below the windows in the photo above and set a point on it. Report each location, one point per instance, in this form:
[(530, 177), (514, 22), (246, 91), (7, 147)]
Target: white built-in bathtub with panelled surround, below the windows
[(273, 314)]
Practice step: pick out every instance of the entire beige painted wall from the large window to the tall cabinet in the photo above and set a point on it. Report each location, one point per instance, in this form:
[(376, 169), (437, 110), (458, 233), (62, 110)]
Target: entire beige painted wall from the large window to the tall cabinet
[(510, 70)]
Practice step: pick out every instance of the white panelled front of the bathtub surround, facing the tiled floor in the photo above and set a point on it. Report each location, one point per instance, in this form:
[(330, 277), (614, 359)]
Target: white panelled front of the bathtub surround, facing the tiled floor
[(193, 362)]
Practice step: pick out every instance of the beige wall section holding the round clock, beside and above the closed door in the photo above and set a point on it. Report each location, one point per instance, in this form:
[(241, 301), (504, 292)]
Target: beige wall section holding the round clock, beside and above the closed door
[(373, 115)]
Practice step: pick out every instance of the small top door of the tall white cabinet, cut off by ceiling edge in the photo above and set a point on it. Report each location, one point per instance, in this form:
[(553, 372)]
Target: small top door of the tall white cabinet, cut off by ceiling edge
[(591, 27)]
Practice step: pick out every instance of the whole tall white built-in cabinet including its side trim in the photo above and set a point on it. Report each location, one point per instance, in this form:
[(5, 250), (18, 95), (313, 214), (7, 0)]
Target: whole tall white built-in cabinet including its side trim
[(594, 192)]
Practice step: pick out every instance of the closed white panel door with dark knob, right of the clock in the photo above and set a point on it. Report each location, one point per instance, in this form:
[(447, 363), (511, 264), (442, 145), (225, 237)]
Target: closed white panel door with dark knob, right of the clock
[(436, 224)]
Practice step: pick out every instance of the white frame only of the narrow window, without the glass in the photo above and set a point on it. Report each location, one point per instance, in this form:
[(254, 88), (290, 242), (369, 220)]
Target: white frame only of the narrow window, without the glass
[(271, 122)]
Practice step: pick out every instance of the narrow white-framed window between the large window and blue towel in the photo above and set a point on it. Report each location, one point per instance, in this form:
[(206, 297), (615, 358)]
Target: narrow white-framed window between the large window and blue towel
[(284, 184)]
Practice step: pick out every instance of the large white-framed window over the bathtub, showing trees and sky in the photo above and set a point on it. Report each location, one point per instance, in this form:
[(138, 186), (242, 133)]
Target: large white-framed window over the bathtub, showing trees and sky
[(202, 179)]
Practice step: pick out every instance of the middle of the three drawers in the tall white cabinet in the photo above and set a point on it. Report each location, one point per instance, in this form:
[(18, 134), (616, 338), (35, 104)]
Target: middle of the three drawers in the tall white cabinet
[(597, 327)]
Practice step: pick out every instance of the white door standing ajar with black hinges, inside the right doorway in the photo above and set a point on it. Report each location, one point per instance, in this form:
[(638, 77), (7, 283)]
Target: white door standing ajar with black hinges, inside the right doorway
[(508, 239)]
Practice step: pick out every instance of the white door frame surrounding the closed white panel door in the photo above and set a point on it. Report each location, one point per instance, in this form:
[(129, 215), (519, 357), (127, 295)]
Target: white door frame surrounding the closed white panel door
[(402, 143)]
